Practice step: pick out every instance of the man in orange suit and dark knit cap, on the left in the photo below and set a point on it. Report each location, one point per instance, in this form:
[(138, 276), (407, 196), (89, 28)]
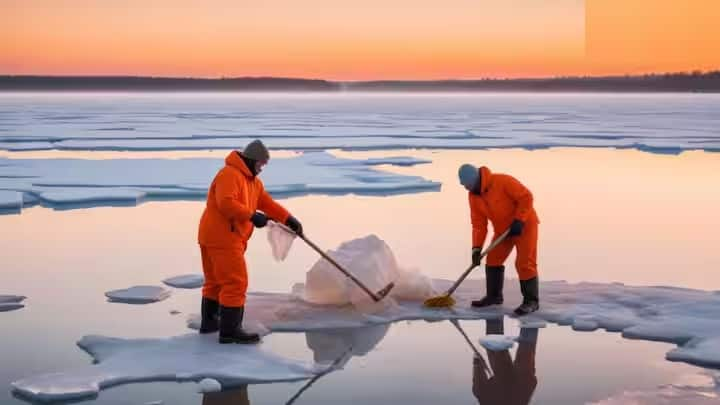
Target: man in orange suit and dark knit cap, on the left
[(236, 203)]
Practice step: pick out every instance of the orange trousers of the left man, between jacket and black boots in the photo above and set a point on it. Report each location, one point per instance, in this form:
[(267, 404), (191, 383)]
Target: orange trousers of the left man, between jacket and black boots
[(230, 272)]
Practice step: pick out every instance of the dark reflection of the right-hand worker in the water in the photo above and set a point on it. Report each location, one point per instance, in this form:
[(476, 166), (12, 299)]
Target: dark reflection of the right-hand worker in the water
[(511, 383)]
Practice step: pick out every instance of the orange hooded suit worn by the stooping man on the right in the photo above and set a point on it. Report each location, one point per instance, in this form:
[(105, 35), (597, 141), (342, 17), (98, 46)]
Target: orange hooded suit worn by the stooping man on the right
[(503, 198)]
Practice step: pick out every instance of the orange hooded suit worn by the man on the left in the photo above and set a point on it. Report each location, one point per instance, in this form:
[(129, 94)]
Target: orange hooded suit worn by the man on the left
[(225, 228)]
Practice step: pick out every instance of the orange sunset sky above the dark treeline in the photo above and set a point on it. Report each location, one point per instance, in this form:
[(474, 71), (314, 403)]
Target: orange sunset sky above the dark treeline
[(358, 40)]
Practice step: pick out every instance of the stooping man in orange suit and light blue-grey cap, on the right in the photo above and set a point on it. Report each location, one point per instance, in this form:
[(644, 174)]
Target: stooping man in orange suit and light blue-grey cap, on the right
[(507, 204)]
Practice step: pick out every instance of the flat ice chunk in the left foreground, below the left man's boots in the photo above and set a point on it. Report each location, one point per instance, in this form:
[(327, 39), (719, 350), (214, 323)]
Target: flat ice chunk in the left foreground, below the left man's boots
[(190, 357)]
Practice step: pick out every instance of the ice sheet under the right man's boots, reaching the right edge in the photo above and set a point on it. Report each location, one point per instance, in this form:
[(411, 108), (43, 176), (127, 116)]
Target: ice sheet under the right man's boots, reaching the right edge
[(686, 317)]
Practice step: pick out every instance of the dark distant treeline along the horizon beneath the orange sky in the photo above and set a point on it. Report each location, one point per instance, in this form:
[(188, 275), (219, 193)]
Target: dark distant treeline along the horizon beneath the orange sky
[(671, 82)]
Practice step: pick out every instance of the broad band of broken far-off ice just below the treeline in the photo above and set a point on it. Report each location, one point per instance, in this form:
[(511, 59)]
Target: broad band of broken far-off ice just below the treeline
[(651, 122)]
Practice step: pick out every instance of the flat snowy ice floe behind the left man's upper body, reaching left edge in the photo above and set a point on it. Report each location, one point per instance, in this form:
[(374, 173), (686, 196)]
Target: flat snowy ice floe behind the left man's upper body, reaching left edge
[(71, 183)]
